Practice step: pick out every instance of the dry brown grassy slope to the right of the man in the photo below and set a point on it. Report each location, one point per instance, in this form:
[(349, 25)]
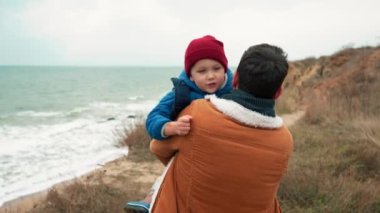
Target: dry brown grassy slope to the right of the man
[(335, 166)]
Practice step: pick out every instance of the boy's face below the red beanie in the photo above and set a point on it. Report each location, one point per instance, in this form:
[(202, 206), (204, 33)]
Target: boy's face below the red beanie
[(208, 75)]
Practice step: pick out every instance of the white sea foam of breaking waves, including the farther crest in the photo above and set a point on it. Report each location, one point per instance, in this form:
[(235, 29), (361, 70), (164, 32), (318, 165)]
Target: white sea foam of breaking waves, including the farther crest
[(34, 157)]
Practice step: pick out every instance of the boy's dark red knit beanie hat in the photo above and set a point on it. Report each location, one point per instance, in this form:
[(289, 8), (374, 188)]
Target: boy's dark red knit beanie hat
[(206, 47)]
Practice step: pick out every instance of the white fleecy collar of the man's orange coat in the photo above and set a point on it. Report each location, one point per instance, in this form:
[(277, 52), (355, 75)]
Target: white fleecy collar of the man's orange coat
[(244, 115)]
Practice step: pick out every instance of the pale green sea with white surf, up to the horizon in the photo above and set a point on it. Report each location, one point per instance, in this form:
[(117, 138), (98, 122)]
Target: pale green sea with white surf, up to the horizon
[(60, 122)]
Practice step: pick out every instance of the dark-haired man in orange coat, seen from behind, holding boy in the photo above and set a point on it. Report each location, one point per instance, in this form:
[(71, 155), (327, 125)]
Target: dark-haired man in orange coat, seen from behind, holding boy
[(237, 150)]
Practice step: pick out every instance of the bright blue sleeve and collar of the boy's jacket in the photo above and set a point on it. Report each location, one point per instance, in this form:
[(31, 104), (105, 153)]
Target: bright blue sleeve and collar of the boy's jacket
[(162, 113)]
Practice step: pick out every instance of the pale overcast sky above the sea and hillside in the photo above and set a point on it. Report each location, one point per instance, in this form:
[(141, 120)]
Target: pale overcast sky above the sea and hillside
[(156, 32)]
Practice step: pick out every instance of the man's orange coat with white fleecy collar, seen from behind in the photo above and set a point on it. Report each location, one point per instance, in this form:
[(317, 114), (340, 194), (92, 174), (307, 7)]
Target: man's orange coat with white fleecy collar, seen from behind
[(224, 165)]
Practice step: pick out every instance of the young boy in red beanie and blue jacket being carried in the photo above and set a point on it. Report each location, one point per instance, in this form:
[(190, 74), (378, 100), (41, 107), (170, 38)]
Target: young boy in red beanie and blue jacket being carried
[(205, 72)]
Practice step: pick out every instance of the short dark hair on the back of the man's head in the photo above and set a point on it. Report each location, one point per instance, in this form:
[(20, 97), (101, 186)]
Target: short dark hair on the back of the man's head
[(262, 69)]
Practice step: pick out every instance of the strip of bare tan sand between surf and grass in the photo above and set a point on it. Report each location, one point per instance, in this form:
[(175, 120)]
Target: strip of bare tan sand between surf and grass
[(109, 174)]
